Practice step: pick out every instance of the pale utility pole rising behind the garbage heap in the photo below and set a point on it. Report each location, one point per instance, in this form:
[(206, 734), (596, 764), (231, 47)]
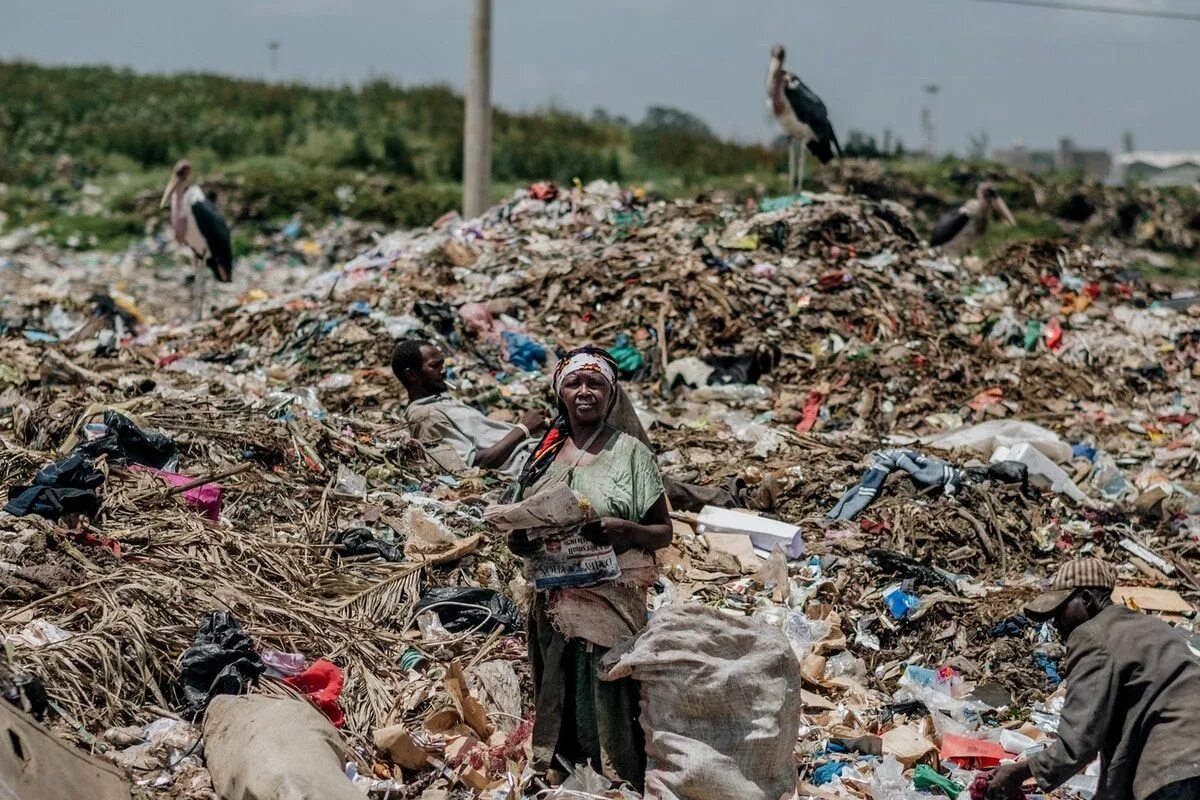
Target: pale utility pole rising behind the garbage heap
[(477, 141)]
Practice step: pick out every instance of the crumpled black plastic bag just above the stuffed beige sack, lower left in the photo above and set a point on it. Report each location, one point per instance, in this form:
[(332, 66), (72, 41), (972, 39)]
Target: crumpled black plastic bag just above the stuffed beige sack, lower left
[(221, 661)]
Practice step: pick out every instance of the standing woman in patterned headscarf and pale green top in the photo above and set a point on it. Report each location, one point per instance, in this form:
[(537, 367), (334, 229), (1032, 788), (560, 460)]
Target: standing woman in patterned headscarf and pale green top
[(580, 718)]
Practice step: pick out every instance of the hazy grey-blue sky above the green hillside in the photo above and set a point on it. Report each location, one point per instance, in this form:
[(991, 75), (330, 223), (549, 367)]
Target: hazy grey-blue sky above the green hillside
[(1017, 73)]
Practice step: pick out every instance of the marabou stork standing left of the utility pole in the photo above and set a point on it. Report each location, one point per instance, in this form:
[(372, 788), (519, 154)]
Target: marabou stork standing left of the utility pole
[(199, 225)]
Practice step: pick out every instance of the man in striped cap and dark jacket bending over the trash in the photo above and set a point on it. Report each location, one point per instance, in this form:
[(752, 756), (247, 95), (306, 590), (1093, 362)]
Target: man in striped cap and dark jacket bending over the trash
[(1133, 696)]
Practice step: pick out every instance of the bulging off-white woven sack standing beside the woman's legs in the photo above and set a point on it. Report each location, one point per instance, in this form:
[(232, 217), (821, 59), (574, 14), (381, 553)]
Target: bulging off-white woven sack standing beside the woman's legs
[(721, 705)]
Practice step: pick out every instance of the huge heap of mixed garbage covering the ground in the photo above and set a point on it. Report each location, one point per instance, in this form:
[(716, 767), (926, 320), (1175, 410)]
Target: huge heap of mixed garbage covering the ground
[(208, 520)]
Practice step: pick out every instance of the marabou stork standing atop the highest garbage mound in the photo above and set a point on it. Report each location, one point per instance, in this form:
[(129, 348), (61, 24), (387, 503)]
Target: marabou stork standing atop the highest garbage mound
[(803, 118)]
